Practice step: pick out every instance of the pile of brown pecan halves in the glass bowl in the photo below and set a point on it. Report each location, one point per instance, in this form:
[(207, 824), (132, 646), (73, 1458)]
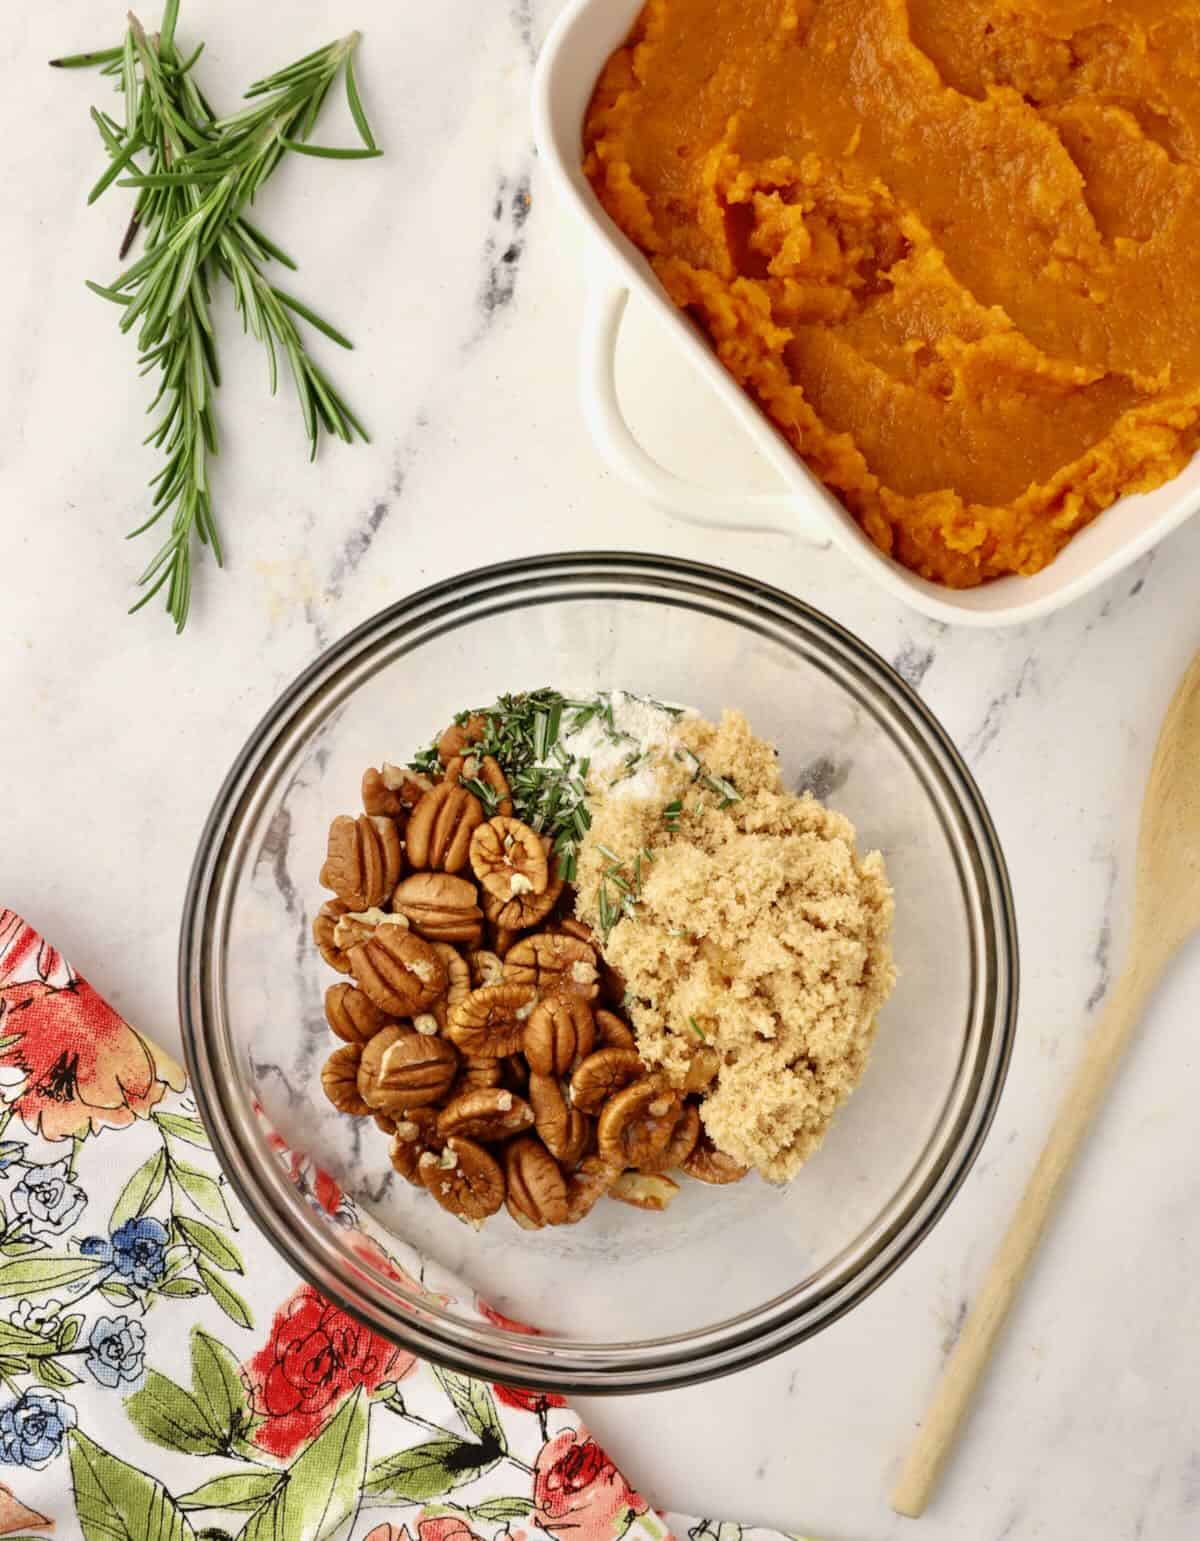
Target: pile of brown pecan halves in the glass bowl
[(480, 1027)]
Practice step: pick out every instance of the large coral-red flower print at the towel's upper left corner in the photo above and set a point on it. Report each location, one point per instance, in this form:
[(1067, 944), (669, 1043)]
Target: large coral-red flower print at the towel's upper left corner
[(73, 1064)]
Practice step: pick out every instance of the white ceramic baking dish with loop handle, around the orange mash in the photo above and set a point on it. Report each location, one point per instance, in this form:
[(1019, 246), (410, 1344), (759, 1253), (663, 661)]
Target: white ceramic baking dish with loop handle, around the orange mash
[(574, 55)]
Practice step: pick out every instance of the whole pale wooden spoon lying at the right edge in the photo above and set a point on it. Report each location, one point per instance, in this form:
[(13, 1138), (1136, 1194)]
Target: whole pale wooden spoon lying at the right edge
[(1167, 913)]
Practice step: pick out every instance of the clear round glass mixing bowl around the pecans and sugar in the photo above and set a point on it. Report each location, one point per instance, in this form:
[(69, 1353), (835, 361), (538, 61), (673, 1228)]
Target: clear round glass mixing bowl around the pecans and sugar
[(628, 1301)]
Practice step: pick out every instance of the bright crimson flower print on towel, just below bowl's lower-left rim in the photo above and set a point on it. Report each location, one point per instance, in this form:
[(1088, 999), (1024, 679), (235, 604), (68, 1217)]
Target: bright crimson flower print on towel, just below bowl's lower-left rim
[(313, 1360)]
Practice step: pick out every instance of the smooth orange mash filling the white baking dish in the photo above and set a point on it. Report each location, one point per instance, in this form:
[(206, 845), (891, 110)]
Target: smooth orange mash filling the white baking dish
[(950, 247)]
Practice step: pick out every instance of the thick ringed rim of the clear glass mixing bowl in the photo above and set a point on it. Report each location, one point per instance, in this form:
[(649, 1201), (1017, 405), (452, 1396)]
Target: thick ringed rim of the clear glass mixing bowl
[(480, 1349)]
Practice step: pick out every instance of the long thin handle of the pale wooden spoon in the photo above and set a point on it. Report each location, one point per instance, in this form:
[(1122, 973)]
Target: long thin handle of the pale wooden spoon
[(967, 1365)]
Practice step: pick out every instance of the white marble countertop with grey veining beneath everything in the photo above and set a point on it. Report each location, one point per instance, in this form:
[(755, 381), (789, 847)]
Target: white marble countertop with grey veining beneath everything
[(464, 312)]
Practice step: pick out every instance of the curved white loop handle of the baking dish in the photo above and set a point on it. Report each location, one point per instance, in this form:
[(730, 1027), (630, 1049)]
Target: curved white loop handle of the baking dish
[(743, 514)]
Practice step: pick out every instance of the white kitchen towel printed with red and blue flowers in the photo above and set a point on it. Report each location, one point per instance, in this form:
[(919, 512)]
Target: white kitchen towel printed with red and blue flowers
[(166, 1377)]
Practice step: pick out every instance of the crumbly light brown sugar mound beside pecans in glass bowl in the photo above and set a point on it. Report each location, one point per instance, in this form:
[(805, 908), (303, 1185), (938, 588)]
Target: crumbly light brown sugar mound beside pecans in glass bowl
[(762, 941)]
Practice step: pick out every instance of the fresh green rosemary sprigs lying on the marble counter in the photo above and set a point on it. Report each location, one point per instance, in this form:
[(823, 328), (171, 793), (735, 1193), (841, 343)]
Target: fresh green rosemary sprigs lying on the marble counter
[(201, 173)]
